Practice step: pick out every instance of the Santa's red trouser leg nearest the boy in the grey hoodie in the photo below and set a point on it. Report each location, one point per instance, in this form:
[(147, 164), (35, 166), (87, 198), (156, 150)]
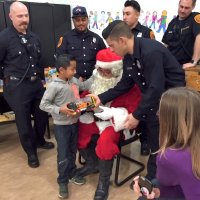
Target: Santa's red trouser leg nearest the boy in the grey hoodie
[(85, 133)]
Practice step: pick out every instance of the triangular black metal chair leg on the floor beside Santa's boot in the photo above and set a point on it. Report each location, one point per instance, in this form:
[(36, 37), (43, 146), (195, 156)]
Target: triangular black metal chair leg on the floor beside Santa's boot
[(141, 167)]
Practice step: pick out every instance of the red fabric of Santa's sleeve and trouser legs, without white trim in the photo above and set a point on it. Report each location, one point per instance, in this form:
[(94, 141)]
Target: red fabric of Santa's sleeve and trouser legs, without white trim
[(107, 145)]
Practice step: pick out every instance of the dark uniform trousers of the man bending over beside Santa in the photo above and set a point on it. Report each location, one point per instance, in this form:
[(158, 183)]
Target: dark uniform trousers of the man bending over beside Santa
[(152, 124)]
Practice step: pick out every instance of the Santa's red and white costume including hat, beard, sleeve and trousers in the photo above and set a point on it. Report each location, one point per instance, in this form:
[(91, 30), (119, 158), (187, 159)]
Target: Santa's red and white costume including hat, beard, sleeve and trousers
[(107, 145)]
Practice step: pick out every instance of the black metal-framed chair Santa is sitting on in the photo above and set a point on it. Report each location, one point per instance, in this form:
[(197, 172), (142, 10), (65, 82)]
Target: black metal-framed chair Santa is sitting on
[(140, 165)]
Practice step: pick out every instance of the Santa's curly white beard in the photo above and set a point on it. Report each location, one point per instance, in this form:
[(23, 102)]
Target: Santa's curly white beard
[(102, 84)]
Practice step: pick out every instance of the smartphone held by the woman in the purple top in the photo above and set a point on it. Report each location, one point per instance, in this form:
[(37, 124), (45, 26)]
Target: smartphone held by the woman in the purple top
[(146, 186)]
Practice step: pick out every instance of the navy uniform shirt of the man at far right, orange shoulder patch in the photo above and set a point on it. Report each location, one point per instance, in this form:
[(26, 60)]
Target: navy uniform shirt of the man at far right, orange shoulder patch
[(180, 37)]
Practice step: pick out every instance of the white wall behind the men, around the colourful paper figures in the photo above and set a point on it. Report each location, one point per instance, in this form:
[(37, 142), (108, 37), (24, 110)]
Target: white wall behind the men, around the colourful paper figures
[(115, 6)]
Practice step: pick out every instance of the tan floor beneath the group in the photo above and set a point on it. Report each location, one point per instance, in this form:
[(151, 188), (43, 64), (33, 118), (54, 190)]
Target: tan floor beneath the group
[(20, 182)]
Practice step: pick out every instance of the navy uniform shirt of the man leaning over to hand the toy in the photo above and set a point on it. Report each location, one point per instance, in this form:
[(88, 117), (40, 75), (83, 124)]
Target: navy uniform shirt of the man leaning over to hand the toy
[(154, 69)]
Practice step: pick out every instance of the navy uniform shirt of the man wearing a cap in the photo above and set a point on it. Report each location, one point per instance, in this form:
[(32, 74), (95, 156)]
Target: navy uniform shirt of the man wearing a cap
[(84, 47)]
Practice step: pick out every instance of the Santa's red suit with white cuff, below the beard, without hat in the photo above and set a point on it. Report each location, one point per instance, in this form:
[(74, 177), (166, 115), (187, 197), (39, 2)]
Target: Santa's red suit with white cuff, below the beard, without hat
[(107, 144)]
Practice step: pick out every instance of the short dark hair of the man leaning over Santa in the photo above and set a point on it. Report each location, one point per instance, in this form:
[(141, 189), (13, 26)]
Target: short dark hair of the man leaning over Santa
[(117, 29)]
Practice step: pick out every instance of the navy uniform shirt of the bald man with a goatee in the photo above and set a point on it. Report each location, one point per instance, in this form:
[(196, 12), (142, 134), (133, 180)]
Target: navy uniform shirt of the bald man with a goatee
[(15, 57)]
